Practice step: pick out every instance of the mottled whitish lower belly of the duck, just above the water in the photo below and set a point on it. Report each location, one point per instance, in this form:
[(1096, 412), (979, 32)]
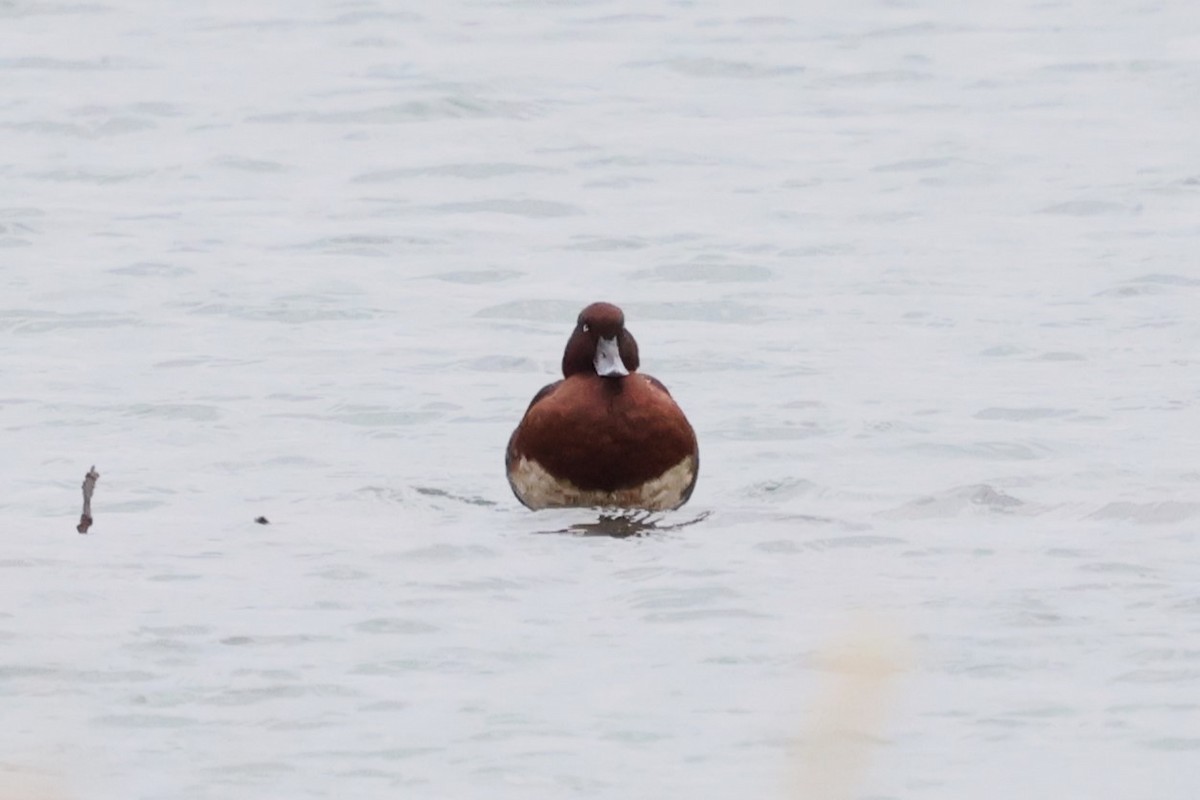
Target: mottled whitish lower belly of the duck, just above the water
[(541, 490)]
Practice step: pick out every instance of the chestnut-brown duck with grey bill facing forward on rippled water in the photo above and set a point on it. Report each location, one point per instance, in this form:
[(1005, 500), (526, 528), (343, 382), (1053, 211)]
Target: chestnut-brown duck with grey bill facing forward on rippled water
[(605, 435)]
